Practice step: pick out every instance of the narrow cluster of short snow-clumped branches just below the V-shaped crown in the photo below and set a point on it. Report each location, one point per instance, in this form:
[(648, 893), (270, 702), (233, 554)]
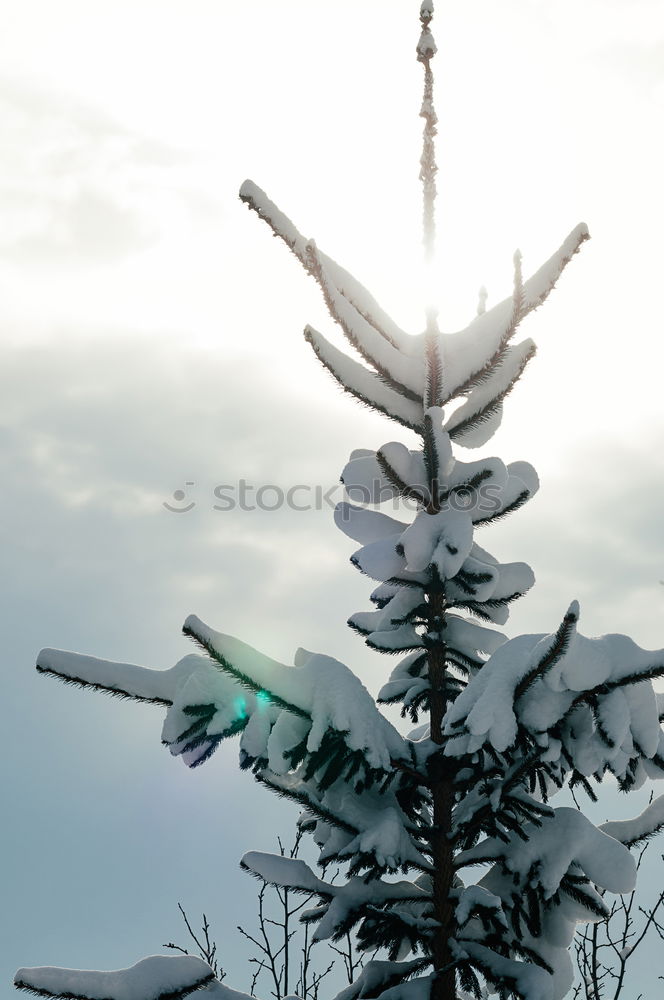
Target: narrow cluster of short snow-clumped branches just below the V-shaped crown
[(435, 549)]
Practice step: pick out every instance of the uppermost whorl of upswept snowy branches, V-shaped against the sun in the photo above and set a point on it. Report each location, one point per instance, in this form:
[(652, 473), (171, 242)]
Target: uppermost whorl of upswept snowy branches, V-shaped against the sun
[(477, 363)]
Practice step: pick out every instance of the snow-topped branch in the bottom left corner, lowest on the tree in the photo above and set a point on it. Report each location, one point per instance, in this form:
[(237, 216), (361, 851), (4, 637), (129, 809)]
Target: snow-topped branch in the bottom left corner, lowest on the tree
[(160, 977)]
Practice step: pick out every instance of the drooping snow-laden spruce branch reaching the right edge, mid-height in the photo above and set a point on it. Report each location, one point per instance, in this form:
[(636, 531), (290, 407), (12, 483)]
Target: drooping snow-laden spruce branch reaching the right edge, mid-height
[(592, 705)]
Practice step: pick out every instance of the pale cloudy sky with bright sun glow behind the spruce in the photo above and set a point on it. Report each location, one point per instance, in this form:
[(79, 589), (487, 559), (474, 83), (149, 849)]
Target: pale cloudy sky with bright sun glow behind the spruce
[(152, 344)]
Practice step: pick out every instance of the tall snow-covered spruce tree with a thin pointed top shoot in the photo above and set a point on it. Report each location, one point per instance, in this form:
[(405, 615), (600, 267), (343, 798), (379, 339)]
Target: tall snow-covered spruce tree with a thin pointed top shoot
[(508, 723)]
